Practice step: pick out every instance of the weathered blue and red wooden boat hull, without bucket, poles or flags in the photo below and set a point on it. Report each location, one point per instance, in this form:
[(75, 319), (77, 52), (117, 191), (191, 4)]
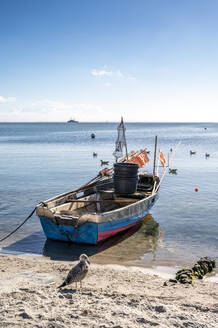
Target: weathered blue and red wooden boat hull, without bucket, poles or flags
[(97, 212)]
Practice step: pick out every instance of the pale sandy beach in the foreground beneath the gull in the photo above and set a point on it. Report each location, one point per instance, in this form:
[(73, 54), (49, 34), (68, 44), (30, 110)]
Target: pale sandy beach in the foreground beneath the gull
[(112, 296)]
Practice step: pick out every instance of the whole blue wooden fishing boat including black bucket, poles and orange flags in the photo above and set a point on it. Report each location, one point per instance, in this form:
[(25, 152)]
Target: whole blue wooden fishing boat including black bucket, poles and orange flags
[(107, 204)]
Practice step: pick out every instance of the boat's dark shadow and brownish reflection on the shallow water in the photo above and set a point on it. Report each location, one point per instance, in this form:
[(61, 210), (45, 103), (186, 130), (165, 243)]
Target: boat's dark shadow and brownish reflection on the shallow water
[(130, 245)]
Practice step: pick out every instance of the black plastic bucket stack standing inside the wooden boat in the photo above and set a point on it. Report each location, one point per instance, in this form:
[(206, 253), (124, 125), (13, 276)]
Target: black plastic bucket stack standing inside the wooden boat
[(125, 178)]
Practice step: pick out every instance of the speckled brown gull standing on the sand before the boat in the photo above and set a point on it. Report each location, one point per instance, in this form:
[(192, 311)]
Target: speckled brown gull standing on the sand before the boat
[(78, 272)]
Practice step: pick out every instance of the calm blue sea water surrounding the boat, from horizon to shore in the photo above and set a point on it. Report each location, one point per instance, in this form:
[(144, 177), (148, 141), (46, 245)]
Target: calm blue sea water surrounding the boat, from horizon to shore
[(41, 160)]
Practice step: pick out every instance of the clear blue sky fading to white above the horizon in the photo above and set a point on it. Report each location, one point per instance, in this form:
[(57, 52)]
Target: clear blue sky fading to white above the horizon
[(96, 60)]
